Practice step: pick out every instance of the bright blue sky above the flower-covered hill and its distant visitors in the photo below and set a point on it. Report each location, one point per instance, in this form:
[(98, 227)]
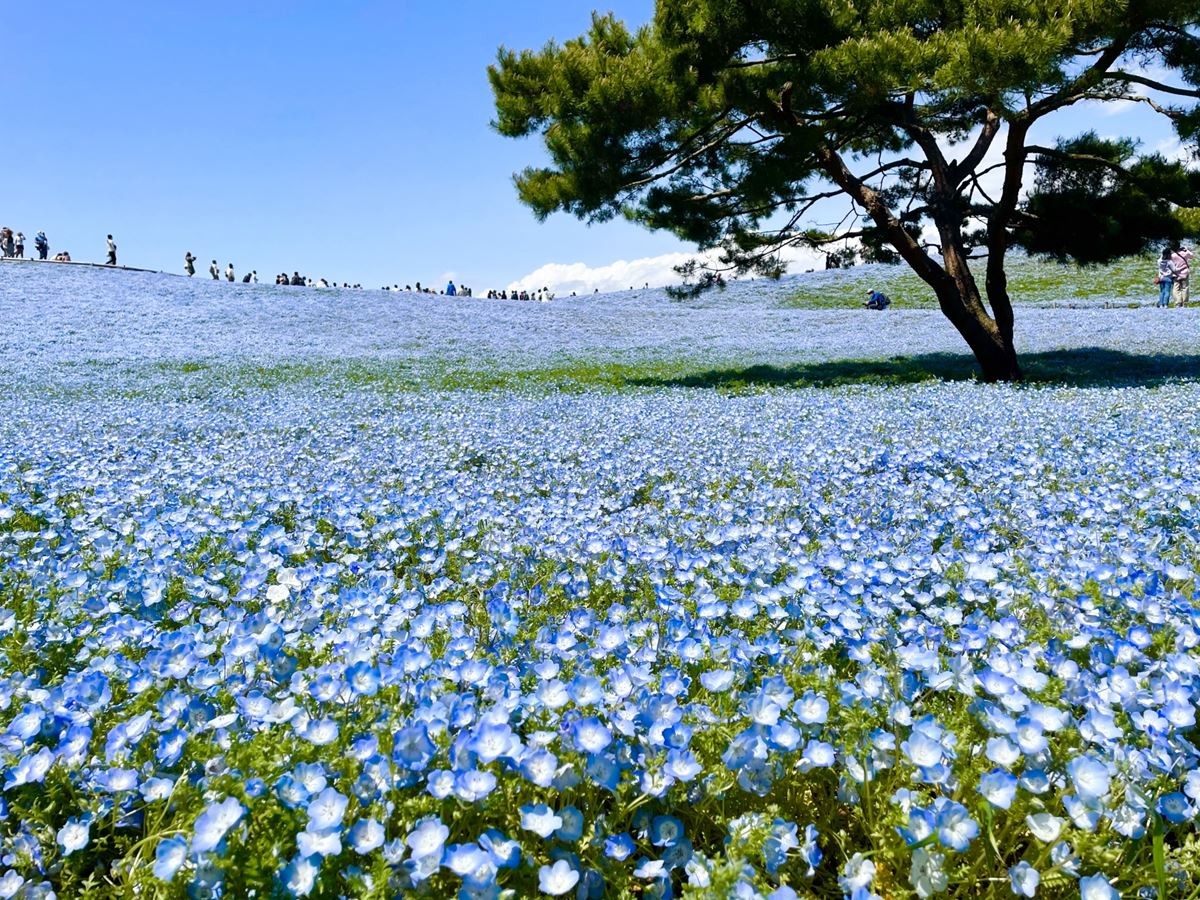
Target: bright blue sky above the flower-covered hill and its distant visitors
[(353, 146)]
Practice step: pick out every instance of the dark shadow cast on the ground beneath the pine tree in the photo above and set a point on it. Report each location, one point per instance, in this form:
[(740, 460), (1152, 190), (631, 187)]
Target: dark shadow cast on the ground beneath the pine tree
[(1082, 368)]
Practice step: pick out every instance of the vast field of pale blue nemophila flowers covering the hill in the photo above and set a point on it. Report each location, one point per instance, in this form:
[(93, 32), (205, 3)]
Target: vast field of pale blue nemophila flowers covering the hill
[(332, 637)]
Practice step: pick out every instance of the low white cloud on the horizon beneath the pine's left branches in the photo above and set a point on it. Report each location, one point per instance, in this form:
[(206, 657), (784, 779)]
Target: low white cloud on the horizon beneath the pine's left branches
[(563, 279)]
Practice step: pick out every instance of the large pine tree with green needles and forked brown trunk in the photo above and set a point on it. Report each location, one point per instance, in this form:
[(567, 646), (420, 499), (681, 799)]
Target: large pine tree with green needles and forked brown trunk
[(731, 123)]
